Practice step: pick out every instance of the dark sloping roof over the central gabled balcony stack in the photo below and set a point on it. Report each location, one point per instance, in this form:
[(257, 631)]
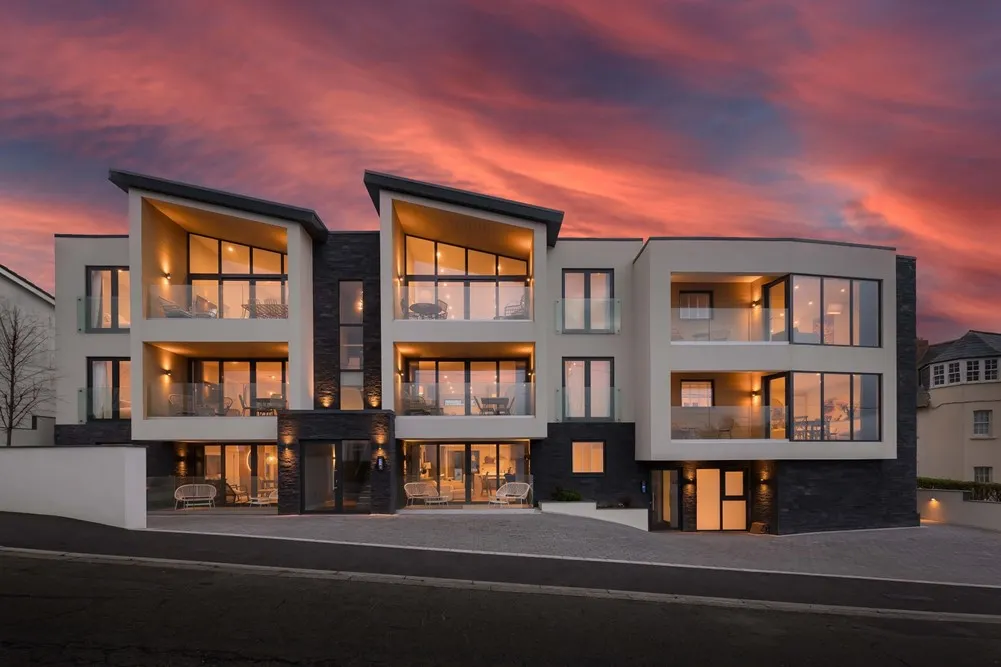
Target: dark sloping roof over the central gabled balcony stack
[(377, 182)]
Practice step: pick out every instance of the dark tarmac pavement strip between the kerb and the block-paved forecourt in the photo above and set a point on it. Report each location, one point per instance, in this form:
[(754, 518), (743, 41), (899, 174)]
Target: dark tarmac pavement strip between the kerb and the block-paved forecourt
[(64, 535)]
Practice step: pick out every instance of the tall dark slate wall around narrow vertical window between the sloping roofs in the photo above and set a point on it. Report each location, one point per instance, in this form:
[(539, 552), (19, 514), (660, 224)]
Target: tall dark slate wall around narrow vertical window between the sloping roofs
[(351, 256)]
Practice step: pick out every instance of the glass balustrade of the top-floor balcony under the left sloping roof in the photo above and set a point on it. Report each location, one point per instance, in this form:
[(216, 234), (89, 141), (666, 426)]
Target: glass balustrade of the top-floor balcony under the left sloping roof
[(229, 301)]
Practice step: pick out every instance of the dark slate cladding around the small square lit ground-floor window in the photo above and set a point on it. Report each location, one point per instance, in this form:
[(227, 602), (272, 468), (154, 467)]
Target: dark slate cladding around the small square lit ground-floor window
[(623, 480)]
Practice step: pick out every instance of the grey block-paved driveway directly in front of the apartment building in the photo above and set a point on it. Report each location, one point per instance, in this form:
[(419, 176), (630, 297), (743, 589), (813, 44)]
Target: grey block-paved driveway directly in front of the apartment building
[(930, 553)]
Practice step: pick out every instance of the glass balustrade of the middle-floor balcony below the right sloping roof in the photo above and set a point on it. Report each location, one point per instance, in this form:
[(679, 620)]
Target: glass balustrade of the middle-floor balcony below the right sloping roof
[(468, 400)]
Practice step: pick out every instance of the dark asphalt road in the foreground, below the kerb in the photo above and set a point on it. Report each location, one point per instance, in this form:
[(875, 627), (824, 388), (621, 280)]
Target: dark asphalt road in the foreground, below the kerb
[(78, 613)]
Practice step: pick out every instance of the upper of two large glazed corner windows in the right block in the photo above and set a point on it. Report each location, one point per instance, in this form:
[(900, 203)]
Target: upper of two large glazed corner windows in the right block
[(835, 312)]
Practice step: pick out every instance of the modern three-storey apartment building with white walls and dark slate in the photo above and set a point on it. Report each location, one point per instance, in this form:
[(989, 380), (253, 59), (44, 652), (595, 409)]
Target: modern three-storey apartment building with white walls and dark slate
[(717, 382)]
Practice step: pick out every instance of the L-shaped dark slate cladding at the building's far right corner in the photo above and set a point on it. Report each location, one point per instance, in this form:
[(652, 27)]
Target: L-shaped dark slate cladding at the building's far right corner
[(844, 495)]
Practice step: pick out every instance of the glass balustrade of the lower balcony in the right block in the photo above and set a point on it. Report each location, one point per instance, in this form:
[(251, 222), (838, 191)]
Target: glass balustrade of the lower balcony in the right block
[(728, 423)]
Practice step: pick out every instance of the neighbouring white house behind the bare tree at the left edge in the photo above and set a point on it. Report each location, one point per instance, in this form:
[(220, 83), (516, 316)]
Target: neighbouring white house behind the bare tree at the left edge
[(18, 291)]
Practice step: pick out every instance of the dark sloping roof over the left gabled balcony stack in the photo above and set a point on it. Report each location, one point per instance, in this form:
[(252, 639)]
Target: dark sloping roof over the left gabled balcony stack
[(308, 218)]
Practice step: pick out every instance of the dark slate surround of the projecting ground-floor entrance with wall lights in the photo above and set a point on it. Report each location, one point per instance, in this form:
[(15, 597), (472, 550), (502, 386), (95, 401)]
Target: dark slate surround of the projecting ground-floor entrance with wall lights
[(298, 429)]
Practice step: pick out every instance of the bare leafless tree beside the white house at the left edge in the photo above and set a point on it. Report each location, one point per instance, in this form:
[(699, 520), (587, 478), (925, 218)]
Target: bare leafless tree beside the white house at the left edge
[(27, 373)]
